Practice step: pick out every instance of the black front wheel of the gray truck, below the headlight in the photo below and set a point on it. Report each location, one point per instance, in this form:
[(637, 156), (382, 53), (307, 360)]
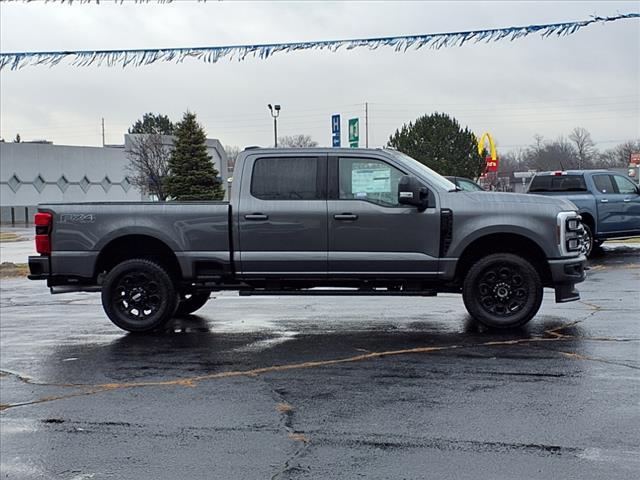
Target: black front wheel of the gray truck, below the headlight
[(502, 290)]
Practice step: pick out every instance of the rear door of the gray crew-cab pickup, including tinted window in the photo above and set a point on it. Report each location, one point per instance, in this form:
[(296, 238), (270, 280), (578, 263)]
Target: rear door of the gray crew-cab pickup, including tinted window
[(282, 216)]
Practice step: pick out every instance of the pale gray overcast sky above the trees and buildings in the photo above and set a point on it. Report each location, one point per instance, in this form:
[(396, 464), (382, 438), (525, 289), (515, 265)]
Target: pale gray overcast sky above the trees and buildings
[(514, 90)]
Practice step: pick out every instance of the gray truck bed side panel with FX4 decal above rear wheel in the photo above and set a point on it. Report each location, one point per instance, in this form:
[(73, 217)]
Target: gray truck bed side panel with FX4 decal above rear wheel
[(197, 232)]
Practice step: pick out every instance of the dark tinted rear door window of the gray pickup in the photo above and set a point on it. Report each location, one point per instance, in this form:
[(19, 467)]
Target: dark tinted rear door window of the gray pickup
[(286, 178)]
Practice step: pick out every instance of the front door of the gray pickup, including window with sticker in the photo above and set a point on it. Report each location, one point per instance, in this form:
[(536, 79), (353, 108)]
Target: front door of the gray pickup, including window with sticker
[(369, 232)]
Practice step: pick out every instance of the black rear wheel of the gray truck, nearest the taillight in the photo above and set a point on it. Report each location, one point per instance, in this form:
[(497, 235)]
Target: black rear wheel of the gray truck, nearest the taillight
[(139, 295)]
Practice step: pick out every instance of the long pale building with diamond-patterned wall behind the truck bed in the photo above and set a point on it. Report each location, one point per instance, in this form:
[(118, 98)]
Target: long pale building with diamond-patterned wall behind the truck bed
[(40, 172)]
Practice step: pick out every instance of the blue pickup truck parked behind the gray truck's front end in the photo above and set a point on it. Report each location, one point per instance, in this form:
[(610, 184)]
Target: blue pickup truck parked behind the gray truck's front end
[(609, 203)]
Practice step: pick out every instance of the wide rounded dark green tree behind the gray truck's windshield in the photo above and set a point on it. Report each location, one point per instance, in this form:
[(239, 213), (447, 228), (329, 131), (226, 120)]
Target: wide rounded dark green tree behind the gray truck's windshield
[(439, 142)]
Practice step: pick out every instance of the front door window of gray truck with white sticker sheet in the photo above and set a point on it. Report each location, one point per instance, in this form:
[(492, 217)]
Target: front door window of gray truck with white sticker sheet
[(370, 180)]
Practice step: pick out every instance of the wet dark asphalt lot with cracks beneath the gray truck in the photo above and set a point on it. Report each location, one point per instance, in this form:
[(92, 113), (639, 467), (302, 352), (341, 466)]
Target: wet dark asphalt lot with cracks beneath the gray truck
[(324, 388)]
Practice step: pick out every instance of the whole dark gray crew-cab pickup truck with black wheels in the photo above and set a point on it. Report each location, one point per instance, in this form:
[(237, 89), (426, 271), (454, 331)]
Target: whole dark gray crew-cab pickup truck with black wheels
[(316, 222)]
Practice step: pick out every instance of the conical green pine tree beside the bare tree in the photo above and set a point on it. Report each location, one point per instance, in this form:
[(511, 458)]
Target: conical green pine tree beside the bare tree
[(192, 175)]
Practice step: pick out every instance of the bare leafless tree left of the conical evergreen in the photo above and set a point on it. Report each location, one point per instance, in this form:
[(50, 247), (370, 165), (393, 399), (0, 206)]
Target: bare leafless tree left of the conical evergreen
[(149, 164)]
